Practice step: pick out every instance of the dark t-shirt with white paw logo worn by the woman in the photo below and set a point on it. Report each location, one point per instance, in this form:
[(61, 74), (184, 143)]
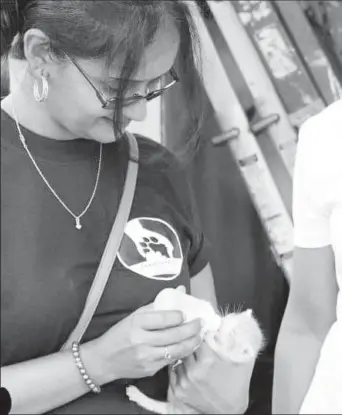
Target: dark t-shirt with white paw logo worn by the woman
[(47, 265)]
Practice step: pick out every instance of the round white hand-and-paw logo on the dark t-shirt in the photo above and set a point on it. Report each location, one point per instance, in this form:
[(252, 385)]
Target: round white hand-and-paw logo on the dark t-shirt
[(151, 247)]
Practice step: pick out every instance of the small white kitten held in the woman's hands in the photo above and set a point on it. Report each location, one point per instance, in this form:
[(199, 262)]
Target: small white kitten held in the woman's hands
[(235, 336)]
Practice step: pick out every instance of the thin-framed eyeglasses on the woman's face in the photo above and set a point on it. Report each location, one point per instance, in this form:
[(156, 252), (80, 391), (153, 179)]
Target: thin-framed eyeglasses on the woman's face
[(109, 103)]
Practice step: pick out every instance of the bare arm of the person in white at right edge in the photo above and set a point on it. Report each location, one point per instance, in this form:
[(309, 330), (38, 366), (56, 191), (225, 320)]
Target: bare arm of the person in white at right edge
[(310, 313)]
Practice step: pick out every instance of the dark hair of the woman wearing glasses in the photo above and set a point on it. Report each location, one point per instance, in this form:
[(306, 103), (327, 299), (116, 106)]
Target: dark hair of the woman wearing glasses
[(117, 31)]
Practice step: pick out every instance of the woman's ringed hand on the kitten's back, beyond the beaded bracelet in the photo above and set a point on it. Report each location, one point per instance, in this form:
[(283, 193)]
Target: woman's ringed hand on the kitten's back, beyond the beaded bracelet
[(136, 346)]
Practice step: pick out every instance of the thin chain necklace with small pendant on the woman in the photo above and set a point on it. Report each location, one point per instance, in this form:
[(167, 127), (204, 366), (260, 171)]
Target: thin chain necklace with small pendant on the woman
[(76, 217)]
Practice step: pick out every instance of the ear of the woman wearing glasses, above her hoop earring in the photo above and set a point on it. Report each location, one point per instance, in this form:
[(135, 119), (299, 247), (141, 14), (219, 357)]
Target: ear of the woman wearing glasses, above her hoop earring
[(37, 51)]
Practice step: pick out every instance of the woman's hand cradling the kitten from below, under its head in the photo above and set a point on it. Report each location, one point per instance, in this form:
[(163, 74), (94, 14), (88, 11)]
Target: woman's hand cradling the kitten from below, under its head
[(210, 384)]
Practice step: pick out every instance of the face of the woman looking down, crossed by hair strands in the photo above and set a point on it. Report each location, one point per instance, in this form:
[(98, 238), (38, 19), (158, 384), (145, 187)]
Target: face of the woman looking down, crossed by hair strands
[(72, 102)]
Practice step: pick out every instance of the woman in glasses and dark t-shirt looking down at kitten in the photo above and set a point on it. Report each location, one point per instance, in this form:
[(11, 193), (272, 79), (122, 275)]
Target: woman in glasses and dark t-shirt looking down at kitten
[(90, 68)]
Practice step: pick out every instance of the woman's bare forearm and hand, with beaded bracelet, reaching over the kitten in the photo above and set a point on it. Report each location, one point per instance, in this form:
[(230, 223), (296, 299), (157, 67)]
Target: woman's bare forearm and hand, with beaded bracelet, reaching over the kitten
[(132, 348)]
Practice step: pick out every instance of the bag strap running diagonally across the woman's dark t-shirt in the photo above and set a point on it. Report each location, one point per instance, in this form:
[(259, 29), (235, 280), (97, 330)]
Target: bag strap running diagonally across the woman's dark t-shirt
[(112, 246)]
